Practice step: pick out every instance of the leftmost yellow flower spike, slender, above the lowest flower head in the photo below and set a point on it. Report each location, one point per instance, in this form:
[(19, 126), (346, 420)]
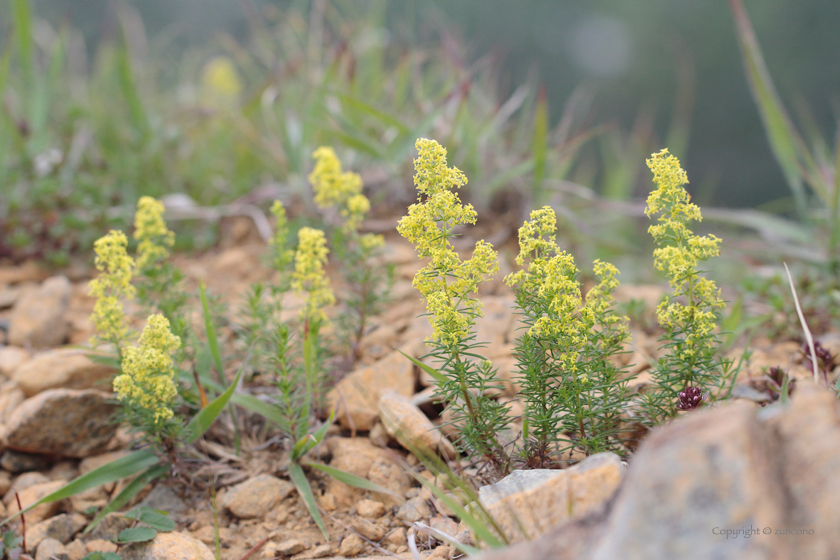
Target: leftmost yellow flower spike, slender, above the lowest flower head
[(110, 287)]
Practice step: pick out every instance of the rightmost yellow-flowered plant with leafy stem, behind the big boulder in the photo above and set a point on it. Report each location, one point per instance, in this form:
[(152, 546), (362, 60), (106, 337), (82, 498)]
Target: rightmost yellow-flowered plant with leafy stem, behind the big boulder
[(688, 315)]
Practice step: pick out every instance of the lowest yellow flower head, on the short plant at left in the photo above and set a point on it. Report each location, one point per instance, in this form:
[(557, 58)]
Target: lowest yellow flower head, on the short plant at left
[(147, 381)]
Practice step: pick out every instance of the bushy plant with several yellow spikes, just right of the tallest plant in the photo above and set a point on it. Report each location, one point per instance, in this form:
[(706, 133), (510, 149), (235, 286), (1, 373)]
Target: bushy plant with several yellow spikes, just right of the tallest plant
[(569, 380)]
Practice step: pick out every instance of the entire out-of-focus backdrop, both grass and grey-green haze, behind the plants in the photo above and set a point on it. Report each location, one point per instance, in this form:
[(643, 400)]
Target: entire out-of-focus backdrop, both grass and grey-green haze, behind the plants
[(537, 101)]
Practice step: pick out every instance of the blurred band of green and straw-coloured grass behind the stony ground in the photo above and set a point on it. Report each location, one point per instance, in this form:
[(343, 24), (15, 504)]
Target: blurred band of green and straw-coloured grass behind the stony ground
[(83, 136)]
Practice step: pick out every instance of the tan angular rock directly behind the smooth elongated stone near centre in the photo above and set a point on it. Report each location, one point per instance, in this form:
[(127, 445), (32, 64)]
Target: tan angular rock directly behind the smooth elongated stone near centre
[(360, 391)]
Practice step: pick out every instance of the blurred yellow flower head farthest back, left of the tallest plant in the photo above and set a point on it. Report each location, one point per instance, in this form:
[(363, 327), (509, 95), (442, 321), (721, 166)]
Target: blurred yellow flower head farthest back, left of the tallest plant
[(334, 187)]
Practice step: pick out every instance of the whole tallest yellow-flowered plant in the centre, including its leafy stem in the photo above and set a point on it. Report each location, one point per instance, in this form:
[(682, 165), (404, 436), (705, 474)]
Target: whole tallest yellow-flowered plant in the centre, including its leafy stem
[(449, 285)]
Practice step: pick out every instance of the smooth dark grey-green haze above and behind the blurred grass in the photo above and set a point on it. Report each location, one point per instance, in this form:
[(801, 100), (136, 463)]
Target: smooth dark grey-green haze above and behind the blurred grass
[(632, 57)]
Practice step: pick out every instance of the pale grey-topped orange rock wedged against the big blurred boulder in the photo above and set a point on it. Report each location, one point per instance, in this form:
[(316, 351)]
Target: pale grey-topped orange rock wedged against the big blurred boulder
[(538, 500)]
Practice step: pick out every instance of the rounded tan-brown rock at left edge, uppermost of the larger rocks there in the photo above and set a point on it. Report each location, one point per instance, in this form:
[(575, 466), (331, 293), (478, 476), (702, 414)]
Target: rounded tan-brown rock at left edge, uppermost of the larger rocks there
[(37, 318)]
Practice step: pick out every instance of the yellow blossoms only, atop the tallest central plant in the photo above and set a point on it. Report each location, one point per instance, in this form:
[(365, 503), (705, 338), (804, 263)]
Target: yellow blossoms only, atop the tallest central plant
[(446, 281)]
